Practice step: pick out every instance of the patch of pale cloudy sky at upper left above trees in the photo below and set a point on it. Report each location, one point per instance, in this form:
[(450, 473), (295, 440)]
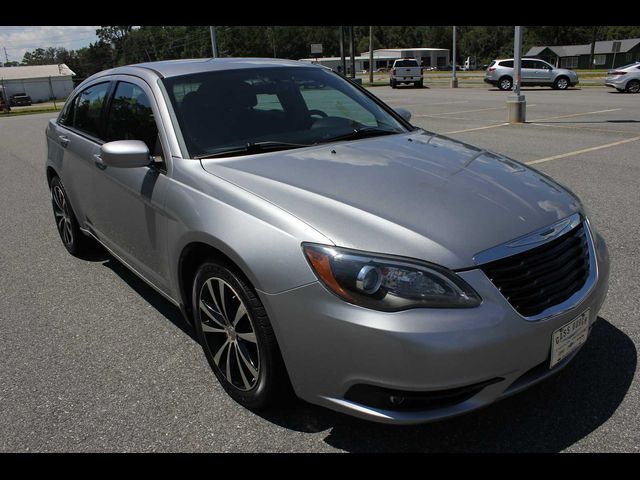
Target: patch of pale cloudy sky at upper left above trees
[(18, 40)]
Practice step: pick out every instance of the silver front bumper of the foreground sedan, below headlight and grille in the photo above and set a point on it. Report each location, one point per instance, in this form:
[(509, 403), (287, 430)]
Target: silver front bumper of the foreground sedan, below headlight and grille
[(330, 346)]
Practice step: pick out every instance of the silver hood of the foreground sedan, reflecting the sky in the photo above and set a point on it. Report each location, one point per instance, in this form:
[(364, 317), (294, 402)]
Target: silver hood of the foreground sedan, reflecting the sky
[(418, 194)]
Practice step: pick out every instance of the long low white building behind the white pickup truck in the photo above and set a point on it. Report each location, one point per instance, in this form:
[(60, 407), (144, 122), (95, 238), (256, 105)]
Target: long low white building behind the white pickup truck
[(384, 58)]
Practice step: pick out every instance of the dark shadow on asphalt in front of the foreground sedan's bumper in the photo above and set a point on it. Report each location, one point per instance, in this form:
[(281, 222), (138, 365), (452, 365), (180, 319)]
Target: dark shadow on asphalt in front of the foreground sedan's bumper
[(548, 417)]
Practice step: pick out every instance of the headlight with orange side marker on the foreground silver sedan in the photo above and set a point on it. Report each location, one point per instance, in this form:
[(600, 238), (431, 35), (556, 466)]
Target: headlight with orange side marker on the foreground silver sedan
[(388, 283)]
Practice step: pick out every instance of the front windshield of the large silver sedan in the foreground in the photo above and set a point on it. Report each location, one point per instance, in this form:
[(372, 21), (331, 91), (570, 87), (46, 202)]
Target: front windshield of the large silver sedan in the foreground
[(230, 109)]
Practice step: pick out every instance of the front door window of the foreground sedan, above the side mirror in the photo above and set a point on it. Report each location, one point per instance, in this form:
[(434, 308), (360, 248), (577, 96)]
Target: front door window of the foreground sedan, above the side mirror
[(131, 118)]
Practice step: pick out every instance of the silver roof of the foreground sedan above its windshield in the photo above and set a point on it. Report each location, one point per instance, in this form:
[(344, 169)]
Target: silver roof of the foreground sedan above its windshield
[(173, 68)]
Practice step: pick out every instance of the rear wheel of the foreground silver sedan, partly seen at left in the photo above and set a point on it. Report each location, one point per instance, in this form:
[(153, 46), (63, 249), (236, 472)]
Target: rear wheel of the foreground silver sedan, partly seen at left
[(76, 242)]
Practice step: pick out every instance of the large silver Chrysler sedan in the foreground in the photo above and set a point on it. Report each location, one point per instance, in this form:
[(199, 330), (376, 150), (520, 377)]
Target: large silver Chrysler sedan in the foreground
[(320, 244)]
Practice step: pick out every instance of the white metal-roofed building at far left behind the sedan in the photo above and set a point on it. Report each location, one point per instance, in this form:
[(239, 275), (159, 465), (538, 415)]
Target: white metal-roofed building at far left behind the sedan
[(40, 82)]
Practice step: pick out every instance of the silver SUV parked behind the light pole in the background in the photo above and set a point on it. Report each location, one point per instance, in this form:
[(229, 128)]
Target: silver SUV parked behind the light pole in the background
[(533, 72)]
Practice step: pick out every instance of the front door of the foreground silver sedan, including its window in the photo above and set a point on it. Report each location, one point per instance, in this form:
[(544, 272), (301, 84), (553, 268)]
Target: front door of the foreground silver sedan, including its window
[(129, 202)]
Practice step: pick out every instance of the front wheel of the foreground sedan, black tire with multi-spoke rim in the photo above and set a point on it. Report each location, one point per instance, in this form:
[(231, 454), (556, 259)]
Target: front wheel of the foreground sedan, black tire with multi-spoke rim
[(258, 377)]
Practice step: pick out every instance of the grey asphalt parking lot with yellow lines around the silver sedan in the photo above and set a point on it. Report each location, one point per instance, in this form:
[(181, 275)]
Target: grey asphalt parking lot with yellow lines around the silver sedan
[(92, 359)]
